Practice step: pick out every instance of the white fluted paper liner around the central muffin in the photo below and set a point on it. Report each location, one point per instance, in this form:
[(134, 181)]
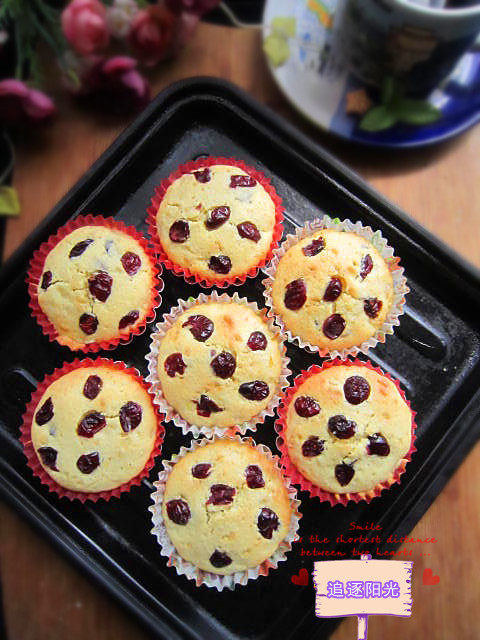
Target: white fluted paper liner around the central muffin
[(156, 387)]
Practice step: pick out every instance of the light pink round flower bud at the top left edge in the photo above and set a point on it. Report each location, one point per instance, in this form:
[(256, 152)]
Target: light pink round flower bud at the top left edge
[(84, 25)]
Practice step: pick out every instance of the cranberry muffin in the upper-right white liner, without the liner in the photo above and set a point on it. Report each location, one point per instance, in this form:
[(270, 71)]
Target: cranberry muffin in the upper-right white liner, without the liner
[(332, 289)]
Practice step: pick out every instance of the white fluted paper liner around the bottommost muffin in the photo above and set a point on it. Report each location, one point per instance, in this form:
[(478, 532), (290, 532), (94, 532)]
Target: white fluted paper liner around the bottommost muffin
[(188, 569)]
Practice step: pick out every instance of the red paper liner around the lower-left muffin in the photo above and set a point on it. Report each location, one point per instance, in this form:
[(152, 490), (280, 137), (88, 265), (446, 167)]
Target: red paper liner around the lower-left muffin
[(31, 455)]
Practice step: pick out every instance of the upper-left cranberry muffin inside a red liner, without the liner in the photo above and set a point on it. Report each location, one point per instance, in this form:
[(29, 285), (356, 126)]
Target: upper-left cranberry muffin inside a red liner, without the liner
[(96, 285)]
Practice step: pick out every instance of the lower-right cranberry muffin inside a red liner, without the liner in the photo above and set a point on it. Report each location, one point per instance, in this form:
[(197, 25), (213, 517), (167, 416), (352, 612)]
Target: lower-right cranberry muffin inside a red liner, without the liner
[(347, 428)]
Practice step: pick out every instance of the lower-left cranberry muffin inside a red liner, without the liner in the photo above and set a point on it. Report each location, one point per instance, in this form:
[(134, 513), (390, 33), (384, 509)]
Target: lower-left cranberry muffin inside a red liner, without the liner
[(93, 428)]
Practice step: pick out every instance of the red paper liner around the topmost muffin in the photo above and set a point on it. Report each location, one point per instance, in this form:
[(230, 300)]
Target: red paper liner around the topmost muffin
[(190, 276)]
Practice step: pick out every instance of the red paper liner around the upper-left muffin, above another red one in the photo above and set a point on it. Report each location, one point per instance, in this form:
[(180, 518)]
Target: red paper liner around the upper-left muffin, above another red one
[(35, 271)]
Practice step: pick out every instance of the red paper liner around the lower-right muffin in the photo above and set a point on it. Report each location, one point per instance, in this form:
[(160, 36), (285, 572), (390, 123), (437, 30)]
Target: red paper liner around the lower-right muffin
[(299, 479)]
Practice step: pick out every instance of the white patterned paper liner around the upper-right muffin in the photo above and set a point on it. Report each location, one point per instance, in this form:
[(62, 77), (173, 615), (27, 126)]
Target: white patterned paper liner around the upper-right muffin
[(400, 288)]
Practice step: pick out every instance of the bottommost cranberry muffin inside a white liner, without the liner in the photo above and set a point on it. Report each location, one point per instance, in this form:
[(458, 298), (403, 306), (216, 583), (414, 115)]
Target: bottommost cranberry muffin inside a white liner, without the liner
[(225, 507)]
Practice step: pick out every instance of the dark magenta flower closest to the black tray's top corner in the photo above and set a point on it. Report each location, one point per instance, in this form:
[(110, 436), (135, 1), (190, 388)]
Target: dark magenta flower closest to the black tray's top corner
[(115, 85)]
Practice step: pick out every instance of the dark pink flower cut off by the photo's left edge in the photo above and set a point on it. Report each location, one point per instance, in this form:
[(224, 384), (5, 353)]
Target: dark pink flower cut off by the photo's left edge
[(19, 103)]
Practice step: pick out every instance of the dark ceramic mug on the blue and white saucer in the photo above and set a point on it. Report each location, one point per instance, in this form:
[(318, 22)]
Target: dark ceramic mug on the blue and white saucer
[(409, 40)]
